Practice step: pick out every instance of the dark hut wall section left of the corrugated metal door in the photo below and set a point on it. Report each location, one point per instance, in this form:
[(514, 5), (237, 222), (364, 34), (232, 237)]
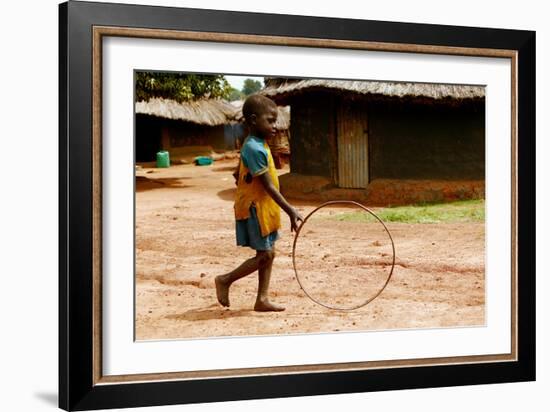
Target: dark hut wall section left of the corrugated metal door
[(312, 145)]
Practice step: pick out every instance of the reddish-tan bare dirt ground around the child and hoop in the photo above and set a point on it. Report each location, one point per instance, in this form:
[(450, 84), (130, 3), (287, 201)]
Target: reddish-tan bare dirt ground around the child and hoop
[(185, 237)]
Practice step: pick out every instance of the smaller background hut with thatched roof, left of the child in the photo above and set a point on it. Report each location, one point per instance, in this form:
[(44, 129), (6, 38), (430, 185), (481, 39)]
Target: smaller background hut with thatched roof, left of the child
[(184, 129)]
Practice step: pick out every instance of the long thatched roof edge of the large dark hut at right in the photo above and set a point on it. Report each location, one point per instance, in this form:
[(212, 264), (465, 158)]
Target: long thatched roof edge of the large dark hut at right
[(281, 88)]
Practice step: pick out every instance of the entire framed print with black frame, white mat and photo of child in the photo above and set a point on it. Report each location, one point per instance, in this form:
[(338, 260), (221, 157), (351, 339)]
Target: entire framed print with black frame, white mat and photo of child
[(391, 164)]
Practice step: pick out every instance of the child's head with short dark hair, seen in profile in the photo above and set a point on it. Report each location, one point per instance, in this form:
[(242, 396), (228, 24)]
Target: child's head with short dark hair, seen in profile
[(260, 114)]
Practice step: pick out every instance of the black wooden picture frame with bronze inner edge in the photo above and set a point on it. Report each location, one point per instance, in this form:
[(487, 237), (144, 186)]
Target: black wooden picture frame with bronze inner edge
[(82, 385)]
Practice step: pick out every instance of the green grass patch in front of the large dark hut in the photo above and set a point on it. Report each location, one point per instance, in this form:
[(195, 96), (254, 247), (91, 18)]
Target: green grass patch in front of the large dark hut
[(462, 211)]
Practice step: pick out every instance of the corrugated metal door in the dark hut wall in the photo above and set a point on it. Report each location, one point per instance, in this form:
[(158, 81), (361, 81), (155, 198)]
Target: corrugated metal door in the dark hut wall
[(353, 148)]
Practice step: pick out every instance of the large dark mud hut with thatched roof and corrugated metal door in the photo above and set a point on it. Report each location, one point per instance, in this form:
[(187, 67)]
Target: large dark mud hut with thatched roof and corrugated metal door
[(383, 142)]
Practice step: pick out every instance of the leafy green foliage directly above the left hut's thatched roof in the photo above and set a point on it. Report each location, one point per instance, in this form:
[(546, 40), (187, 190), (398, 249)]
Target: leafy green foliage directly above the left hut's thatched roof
[(180, 87)]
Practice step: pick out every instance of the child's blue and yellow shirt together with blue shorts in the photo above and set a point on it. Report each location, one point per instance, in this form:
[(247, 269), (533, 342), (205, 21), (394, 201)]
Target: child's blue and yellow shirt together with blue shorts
[(257, 214)]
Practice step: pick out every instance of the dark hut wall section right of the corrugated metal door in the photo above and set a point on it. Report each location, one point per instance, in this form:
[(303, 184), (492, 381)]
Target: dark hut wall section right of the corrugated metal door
[(426, 141)]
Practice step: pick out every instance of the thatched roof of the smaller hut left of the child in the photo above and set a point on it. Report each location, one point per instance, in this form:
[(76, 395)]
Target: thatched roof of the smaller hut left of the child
[(210, 112)]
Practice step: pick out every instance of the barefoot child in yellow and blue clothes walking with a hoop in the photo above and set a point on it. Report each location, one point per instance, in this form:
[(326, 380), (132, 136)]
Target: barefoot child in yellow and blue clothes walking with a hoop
[(257, 203)]
